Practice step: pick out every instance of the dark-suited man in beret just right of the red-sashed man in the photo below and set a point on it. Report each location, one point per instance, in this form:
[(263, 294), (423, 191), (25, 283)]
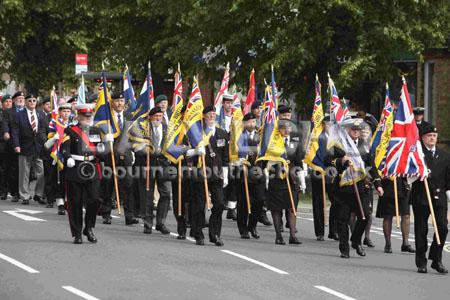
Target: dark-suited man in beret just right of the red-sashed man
[(124, 160)]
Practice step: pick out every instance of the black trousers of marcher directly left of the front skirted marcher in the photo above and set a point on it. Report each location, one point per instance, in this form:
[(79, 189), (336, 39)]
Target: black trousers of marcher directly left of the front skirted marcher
[(245, 221)]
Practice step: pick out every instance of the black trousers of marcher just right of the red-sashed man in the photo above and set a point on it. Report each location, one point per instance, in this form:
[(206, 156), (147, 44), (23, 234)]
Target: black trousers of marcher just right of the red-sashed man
[(125, 186)]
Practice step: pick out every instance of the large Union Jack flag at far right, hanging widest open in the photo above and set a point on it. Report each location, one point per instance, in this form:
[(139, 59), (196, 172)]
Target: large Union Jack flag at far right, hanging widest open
[(405, 156)]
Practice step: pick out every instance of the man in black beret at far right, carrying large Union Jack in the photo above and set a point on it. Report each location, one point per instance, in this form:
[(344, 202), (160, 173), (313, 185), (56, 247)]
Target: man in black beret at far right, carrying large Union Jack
[(438, 162)]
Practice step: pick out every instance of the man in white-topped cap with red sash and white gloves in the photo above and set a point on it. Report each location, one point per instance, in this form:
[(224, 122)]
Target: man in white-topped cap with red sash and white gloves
[(80, 152)]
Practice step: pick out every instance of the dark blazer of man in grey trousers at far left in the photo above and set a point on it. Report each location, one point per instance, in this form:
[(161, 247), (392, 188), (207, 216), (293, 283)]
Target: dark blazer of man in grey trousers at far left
[(22, 136)]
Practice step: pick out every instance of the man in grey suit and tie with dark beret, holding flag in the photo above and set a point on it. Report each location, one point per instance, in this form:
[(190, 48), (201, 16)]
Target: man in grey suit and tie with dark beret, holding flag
[(152, 139)]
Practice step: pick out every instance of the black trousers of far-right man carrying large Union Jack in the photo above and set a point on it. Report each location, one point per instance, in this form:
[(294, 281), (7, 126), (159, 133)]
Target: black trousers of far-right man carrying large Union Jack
[(421, 215)]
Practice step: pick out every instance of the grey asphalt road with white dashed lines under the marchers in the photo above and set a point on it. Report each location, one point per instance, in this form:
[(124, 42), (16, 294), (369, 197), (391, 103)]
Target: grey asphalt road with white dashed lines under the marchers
[(39, 261)]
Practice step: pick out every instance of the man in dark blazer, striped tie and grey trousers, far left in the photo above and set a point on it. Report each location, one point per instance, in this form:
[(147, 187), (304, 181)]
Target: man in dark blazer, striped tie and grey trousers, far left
[(28, 138)]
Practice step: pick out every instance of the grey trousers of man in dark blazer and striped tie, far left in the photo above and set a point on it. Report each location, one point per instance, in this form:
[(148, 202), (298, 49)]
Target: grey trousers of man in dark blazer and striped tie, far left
[(29, 188)]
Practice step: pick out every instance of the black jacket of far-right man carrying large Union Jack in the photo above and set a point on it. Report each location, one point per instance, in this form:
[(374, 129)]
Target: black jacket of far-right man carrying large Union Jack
[(438, 180)]
